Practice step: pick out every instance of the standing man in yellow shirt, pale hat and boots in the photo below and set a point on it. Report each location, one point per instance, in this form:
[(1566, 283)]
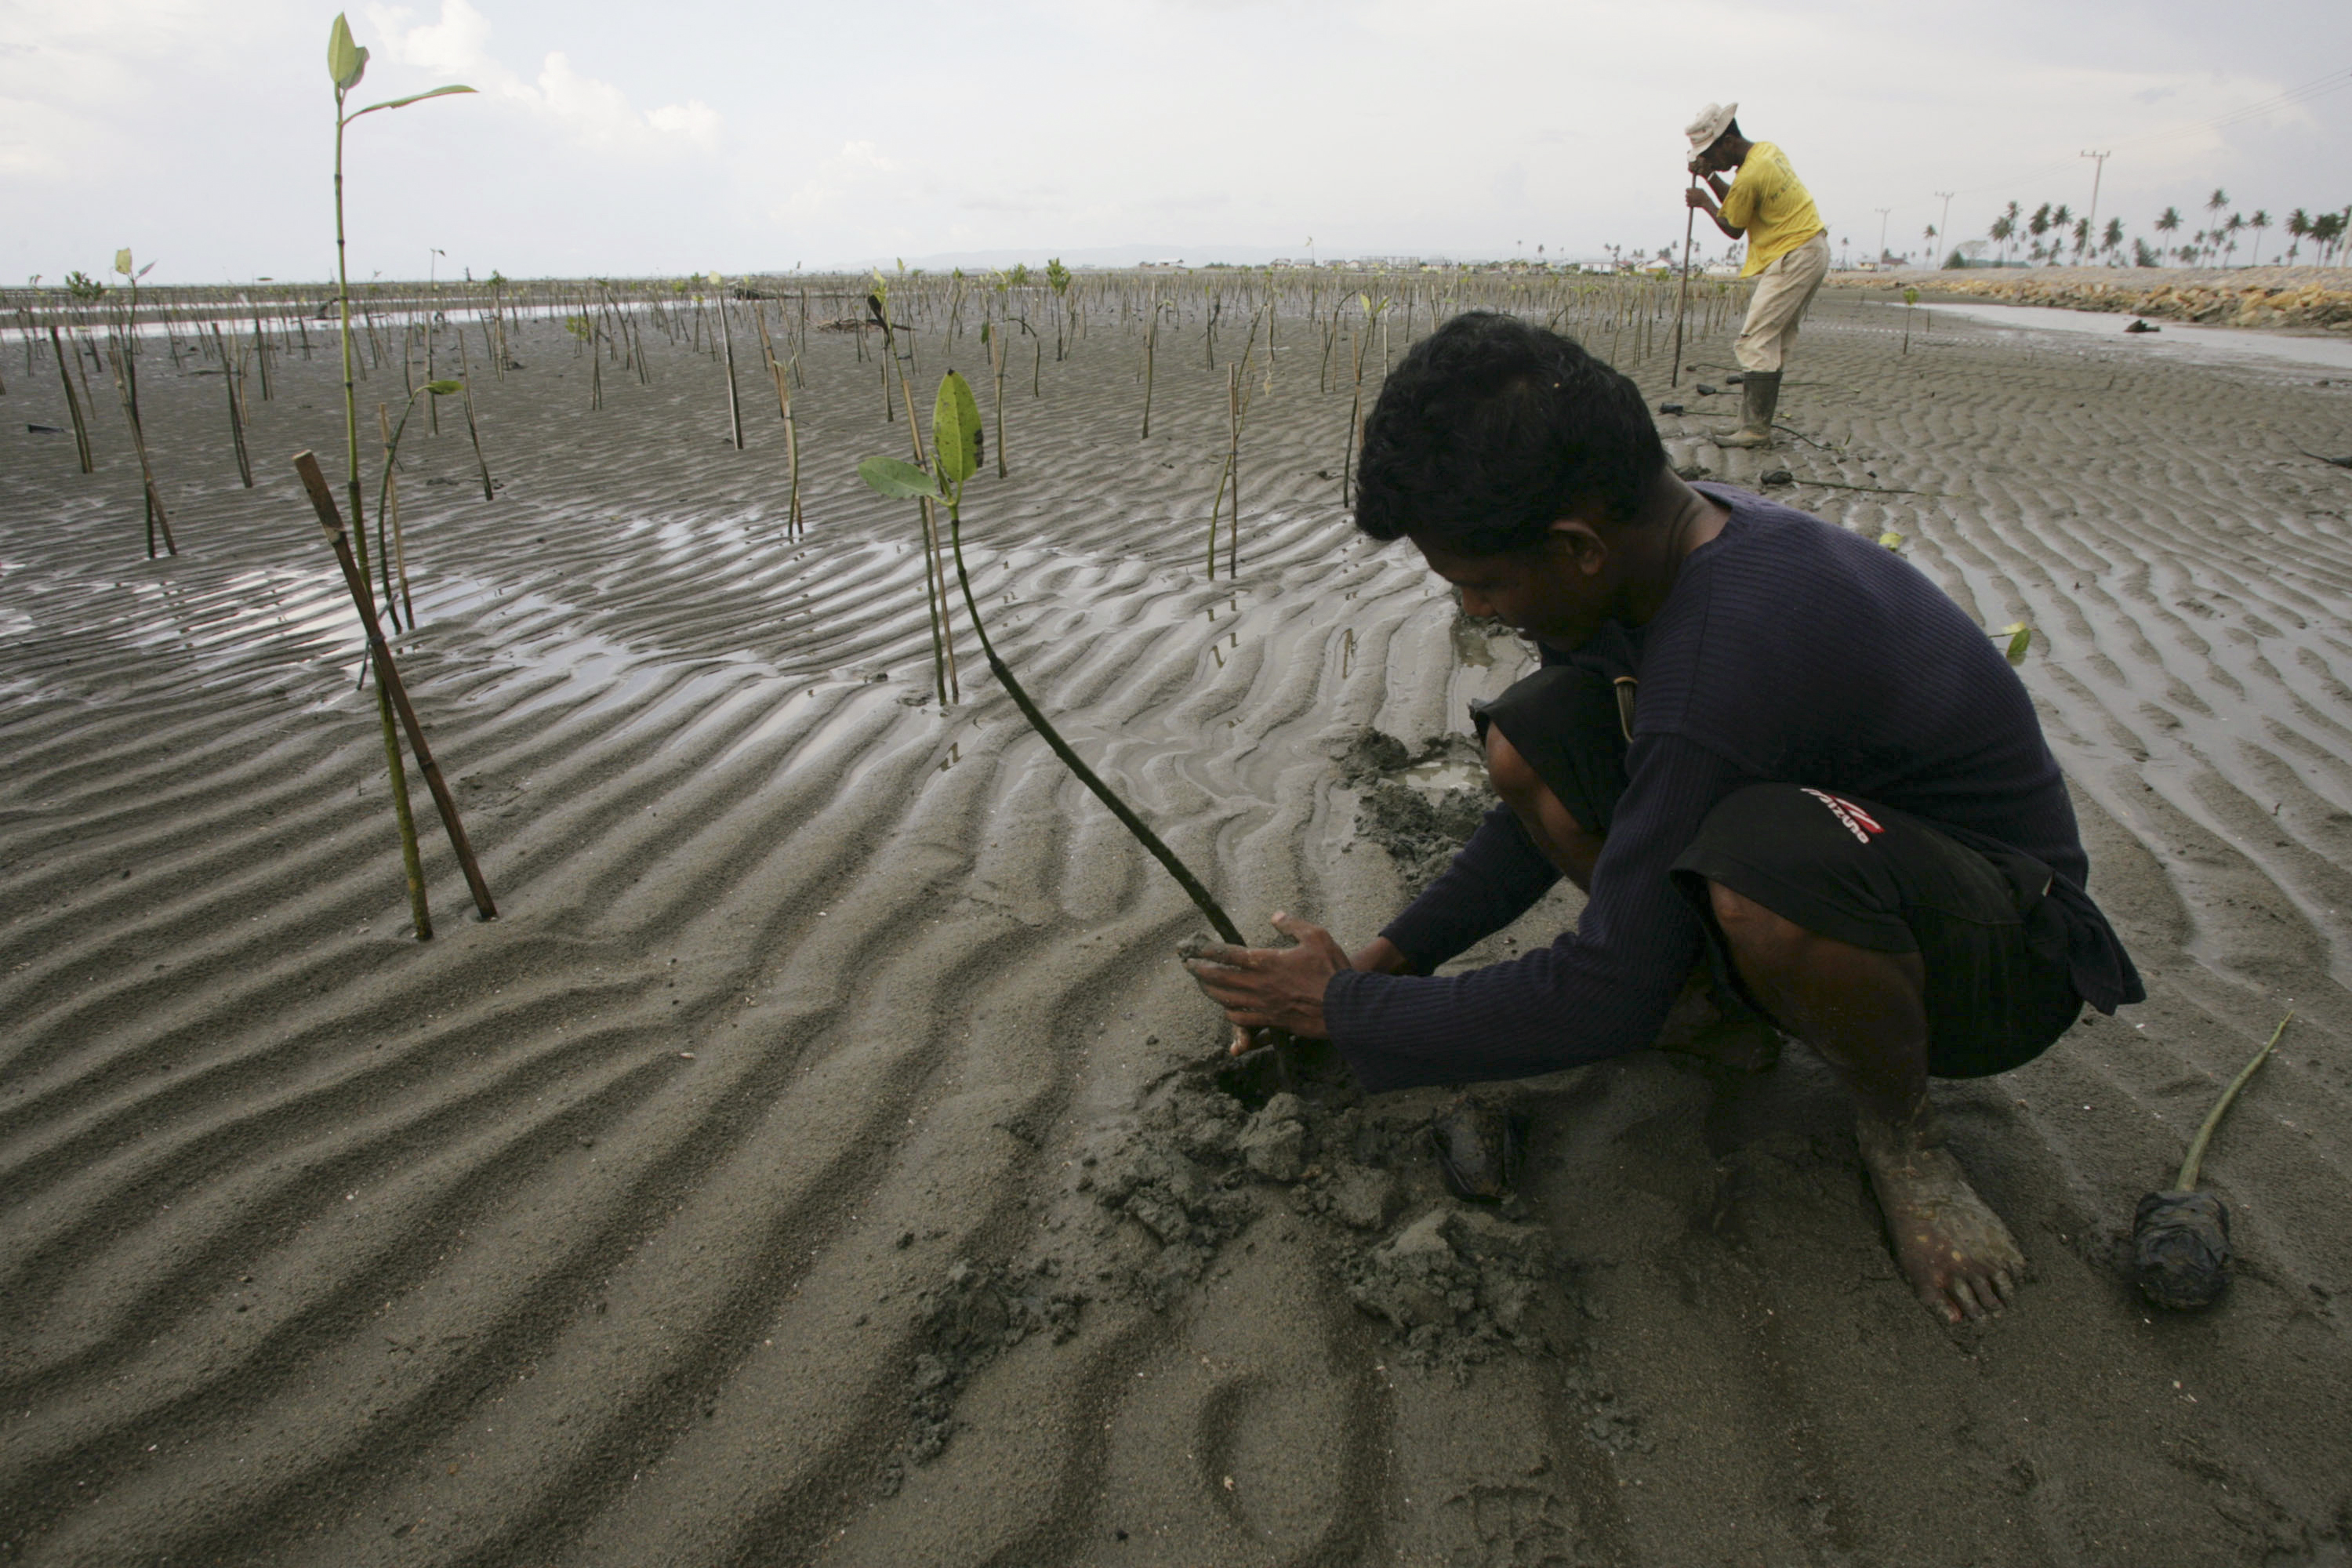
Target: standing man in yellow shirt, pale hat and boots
[(1789, 253)]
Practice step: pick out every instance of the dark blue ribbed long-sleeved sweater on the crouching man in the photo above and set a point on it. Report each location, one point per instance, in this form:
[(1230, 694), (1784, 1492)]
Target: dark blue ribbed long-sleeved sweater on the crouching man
[(1793, 652)]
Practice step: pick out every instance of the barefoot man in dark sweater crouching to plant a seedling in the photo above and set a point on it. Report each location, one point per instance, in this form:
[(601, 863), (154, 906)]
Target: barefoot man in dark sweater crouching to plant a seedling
[(1758, 742)]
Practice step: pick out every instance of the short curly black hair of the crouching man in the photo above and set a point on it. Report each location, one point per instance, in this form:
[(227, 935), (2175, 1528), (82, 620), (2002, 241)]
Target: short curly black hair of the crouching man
[(1492, 429)]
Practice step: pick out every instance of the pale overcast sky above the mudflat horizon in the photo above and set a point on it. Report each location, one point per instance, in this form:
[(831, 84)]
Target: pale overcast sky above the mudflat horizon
[(697, 135)]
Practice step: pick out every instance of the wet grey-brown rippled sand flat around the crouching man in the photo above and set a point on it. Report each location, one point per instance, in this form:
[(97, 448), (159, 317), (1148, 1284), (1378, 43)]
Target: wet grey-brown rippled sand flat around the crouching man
[(817, 1160)]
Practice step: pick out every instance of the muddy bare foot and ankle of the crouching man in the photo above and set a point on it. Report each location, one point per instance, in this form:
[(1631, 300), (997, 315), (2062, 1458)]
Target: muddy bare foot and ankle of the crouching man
[(1956, 1252)]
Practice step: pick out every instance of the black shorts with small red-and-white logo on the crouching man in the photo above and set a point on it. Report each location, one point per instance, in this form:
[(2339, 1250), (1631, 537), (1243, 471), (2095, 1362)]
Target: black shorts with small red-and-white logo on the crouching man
[(1989, 937)]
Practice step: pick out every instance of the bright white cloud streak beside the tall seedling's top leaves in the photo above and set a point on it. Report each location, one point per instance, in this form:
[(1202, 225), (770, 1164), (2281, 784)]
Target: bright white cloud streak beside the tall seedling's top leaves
[(584, 109)]
